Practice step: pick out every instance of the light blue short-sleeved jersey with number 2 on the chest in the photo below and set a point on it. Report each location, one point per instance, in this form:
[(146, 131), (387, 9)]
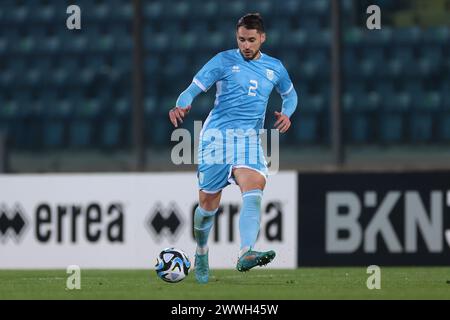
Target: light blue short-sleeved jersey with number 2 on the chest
[(243, 88)]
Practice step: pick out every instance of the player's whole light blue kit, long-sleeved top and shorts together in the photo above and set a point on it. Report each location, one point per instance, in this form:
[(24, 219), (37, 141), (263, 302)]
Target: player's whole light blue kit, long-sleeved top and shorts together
[(230, 134)]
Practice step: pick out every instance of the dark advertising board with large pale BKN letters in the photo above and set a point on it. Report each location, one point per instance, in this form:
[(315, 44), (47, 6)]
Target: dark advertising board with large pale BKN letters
[(374, 218)]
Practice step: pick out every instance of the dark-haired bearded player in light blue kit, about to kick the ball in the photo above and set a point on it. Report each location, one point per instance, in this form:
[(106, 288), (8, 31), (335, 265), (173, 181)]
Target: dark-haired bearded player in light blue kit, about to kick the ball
[(244, 79)]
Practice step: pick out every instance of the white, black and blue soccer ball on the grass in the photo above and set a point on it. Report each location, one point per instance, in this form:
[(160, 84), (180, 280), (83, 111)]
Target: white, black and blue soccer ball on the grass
[(172, 265)]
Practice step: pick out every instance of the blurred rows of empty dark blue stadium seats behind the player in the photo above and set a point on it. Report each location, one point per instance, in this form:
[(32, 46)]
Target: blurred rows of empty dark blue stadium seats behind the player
[(395, 78)]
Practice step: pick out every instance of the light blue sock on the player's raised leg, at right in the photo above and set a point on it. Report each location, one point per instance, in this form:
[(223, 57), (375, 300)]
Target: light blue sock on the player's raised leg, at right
[(249, 218)]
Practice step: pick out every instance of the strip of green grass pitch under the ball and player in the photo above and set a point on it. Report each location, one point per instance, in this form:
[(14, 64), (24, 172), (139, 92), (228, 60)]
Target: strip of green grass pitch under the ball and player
[(304, 283)]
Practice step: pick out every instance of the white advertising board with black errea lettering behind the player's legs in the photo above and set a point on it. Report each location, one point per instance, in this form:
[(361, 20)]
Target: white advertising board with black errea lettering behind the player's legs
[(124, 220)]
